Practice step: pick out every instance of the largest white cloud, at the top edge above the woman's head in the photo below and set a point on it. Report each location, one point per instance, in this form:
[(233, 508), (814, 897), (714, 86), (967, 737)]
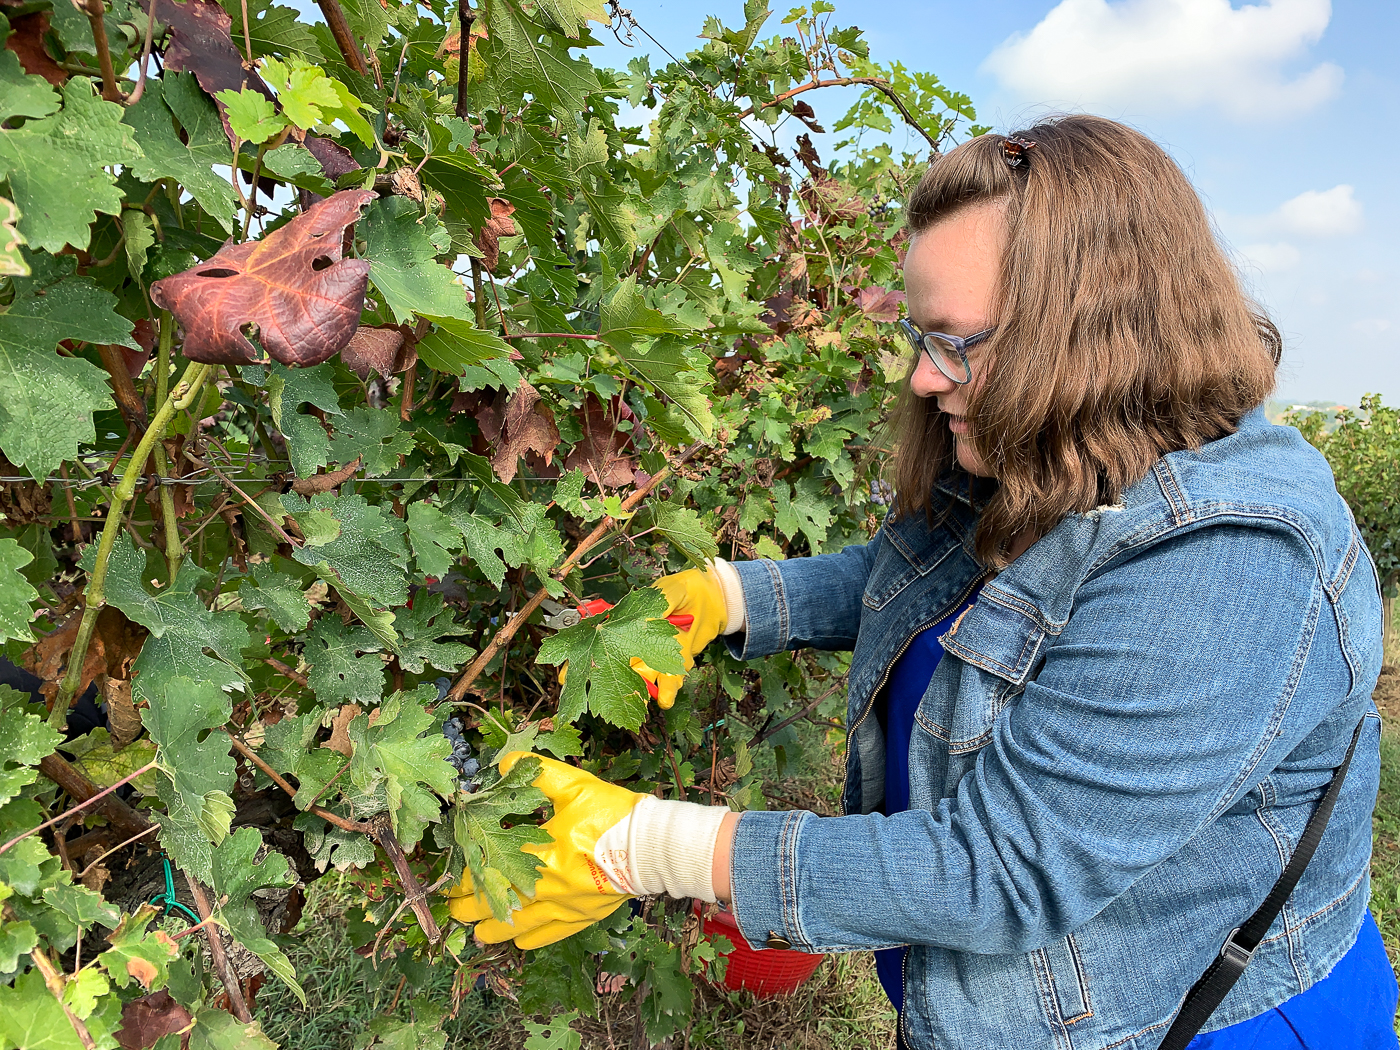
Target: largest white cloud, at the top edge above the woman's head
[(1171, 55)]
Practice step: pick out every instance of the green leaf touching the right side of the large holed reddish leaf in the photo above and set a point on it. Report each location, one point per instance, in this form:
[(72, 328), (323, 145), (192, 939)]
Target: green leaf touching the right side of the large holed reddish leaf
[(404, 267)]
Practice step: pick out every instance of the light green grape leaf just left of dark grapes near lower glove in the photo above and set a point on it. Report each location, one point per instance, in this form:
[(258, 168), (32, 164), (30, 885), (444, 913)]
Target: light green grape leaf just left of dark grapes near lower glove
[(391, 754)]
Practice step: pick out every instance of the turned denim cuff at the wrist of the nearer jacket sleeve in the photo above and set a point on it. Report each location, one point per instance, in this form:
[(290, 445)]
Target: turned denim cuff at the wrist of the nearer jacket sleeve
[(764, 878)]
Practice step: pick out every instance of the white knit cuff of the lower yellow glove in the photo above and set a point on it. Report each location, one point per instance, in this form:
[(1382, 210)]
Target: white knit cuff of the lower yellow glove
[(663, 848)]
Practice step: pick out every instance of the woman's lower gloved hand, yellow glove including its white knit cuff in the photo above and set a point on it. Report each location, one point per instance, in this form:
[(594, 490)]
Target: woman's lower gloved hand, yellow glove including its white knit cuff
[(610, 845)]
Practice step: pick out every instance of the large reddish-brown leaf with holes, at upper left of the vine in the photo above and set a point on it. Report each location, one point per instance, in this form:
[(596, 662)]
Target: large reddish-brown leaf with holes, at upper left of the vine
[(293, 286)]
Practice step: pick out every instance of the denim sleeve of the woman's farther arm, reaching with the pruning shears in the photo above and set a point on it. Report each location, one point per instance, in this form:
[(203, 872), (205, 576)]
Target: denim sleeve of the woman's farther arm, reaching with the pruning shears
[(806, 603)]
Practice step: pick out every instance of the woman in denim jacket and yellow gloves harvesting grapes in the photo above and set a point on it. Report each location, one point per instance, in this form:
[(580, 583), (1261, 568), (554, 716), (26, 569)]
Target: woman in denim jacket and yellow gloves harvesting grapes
[(1109, 649)]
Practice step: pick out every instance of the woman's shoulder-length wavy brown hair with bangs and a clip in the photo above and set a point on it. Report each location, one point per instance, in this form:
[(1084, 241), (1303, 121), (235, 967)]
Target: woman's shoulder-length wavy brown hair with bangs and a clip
[(1122, 330)]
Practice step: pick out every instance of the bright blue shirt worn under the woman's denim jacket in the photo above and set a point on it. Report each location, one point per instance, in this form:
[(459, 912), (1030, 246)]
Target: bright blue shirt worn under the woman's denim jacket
[(1349, 1010)]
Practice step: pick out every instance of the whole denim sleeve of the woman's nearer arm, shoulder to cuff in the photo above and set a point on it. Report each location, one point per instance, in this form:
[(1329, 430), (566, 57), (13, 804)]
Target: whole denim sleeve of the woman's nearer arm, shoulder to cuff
[(1150, 717)]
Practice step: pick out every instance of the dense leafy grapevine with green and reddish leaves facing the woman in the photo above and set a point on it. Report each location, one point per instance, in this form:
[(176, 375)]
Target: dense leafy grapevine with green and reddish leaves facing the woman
[(331, 352)]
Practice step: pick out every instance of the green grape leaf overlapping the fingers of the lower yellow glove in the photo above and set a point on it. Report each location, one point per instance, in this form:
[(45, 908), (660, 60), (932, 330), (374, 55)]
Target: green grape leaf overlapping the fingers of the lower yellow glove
[(500, 870)]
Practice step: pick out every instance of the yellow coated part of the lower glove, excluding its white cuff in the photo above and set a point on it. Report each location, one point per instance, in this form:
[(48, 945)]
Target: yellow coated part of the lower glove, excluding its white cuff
[(573, 891)]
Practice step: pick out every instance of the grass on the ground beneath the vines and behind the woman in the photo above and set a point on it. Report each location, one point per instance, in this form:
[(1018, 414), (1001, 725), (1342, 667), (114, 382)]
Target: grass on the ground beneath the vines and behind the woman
[(842, 1006)]
